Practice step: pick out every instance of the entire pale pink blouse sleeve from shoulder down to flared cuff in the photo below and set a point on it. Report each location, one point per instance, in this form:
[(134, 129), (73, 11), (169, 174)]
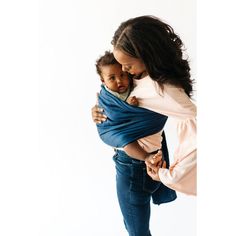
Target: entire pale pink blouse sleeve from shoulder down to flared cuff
[(181, 175)]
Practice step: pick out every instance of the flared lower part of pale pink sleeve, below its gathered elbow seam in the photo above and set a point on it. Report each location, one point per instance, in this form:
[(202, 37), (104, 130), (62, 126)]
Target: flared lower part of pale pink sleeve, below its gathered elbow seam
[(181, 175)]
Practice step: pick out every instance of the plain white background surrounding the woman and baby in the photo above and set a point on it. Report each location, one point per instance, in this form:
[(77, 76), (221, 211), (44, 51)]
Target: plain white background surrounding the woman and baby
[(56, 176)]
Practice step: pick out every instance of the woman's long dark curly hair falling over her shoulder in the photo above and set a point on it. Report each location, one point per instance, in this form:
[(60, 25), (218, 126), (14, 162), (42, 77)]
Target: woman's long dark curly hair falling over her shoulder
[(159, 48)]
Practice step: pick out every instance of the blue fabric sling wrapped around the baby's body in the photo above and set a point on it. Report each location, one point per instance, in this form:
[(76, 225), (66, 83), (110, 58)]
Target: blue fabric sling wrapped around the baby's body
[(126, 123)]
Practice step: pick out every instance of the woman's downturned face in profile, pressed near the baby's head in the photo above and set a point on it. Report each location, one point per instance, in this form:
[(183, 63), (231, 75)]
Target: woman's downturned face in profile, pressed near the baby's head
[(130, 64)]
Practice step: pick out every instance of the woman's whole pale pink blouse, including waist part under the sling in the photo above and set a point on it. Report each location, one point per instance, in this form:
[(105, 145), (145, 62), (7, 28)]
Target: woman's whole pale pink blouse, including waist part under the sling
[(174, 103)]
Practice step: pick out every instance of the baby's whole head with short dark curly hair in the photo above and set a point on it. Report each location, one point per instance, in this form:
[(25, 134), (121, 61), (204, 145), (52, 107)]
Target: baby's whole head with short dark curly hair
[(111, 73)]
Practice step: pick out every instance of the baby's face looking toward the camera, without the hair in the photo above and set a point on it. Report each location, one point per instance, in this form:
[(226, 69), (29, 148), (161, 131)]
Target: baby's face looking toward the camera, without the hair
[(114, 78)]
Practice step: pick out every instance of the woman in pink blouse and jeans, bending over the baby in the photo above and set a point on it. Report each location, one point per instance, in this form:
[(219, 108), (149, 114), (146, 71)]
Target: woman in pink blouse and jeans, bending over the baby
[(148, 49)]
